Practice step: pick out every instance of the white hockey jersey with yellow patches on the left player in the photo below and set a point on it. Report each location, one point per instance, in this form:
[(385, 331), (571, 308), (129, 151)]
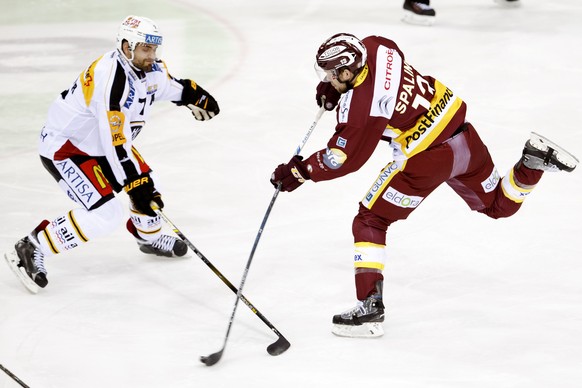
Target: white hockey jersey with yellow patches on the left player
[(104, 110)]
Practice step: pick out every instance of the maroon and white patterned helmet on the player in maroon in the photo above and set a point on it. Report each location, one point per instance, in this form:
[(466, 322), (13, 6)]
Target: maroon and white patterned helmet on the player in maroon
[(339, 51)]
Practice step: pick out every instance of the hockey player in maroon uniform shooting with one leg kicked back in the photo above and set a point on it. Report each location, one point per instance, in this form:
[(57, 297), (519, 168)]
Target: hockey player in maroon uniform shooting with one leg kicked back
[(382, 97)]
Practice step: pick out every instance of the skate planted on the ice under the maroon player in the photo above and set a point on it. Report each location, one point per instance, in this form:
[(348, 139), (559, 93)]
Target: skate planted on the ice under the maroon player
[(363, 321)]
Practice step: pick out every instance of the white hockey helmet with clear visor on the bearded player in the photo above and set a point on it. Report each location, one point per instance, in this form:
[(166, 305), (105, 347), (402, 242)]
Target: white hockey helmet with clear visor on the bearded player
[(137, 29)]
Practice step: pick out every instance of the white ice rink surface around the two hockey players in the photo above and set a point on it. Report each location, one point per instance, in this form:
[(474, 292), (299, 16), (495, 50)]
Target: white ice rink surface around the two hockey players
[(471, 302)]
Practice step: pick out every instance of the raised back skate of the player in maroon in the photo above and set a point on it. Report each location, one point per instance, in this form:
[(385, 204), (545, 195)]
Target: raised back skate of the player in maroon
[(540, 153)]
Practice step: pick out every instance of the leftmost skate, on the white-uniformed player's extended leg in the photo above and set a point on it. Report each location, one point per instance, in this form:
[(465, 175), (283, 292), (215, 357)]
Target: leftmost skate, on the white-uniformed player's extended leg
[(27, 263)]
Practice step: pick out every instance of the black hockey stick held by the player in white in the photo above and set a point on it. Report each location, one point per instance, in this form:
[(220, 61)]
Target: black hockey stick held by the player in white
[(273, 349)]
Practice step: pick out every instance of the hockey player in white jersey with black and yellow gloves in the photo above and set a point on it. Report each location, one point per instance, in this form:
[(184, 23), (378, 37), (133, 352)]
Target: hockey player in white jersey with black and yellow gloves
[(87, 146)]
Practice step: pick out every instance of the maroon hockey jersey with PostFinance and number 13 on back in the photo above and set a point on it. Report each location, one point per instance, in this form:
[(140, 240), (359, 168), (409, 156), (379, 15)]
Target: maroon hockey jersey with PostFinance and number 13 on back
[(390, 101)]
